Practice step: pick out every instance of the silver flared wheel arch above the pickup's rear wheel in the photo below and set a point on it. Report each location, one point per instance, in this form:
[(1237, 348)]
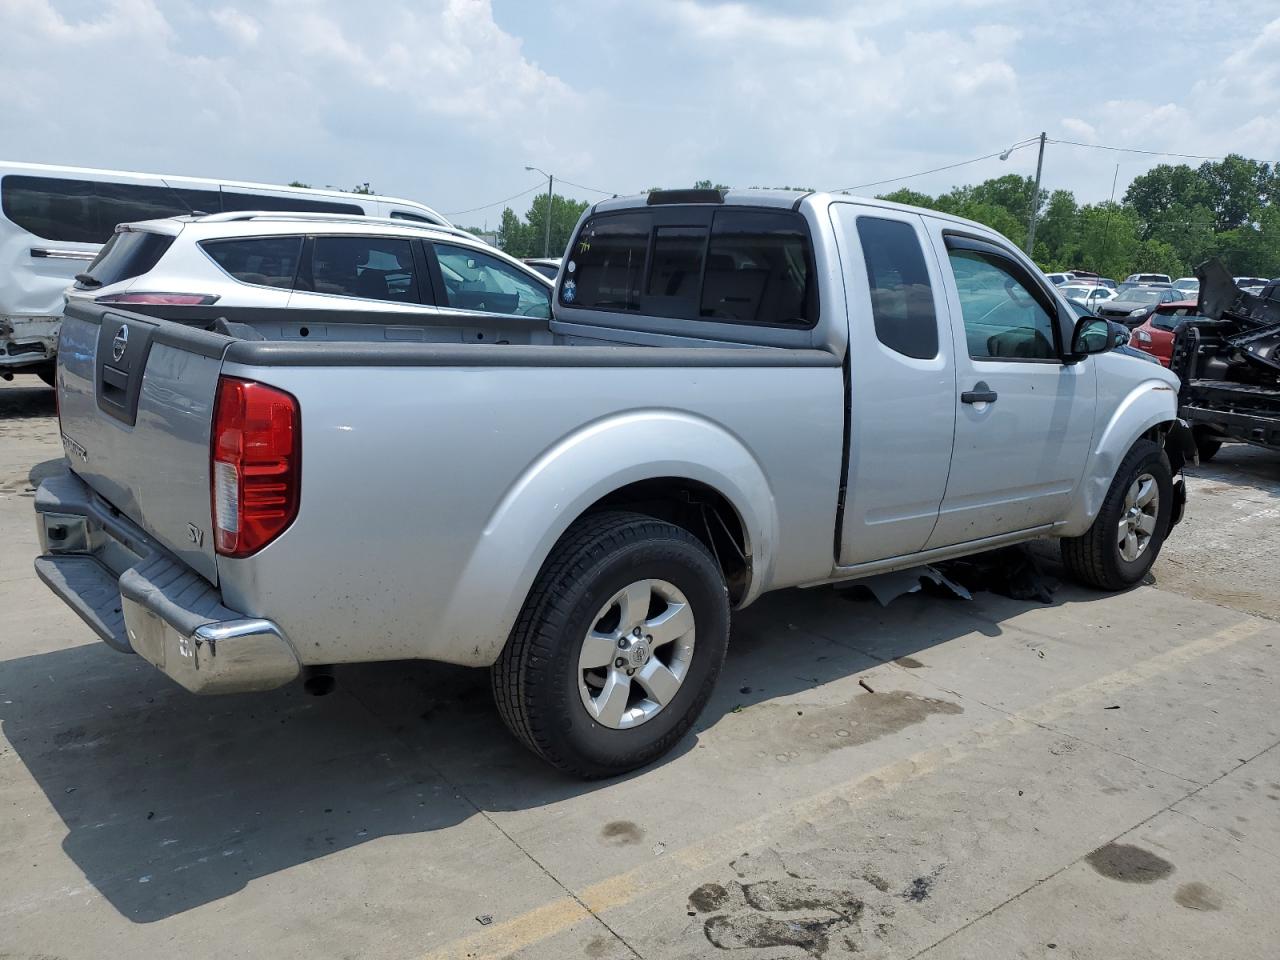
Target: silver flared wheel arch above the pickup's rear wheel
[(564, 483)]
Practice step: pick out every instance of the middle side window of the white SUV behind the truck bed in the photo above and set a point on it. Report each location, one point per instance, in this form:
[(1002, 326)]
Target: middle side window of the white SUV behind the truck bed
[(372, 268)]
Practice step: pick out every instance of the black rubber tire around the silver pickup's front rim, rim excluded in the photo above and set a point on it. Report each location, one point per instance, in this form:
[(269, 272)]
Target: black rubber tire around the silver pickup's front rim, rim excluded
[(1094, 559)]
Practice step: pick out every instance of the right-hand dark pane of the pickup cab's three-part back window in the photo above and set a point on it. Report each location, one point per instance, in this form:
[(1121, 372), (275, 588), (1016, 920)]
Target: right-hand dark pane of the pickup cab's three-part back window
[(758, 271)]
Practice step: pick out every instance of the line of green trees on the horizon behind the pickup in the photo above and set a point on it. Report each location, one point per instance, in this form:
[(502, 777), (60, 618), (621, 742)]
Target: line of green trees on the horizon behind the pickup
[(1171, 220)]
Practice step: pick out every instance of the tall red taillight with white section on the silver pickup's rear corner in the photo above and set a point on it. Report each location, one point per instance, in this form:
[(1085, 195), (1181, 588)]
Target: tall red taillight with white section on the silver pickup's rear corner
[(257, 465)]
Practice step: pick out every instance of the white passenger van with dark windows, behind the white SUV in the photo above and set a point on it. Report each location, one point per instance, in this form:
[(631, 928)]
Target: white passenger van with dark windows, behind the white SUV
[(54, 221)]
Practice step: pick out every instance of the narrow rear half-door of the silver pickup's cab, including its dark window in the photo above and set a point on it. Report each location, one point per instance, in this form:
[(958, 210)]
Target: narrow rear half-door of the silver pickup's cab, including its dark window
[(902, 383)]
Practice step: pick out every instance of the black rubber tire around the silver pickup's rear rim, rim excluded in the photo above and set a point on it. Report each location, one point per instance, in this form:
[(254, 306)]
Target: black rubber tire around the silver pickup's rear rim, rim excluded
[(536, 680)]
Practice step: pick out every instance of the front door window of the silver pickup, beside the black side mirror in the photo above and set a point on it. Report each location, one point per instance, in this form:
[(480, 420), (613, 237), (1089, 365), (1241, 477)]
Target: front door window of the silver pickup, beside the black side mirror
[(1003, 319)]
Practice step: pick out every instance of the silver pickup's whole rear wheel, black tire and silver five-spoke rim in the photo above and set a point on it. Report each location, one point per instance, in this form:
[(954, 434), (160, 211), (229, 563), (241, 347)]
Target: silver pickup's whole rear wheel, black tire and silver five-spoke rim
[(618, 648)]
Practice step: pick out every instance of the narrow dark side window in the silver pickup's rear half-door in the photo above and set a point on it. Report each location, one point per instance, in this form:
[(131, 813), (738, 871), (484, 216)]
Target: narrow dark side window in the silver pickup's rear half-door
[(902, 295)]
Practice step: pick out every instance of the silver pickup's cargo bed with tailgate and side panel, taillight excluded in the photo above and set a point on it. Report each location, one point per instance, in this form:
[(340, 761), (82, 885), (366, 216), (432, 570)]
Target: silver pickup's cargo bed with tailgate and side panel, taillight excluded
[(436, 476)]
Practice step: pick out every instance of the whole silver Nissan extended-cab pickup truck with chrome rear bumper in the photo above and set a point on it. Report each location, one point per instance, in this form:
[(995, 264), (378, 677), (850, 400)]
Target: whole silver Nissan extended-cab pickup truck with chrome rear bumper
[(738, 392)]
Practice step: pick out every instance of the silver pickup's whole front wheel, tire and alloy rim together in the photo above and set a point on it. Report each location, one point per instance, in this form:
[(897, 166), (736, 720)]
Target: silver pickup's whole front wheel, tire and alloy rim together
[(1127, 536)]
